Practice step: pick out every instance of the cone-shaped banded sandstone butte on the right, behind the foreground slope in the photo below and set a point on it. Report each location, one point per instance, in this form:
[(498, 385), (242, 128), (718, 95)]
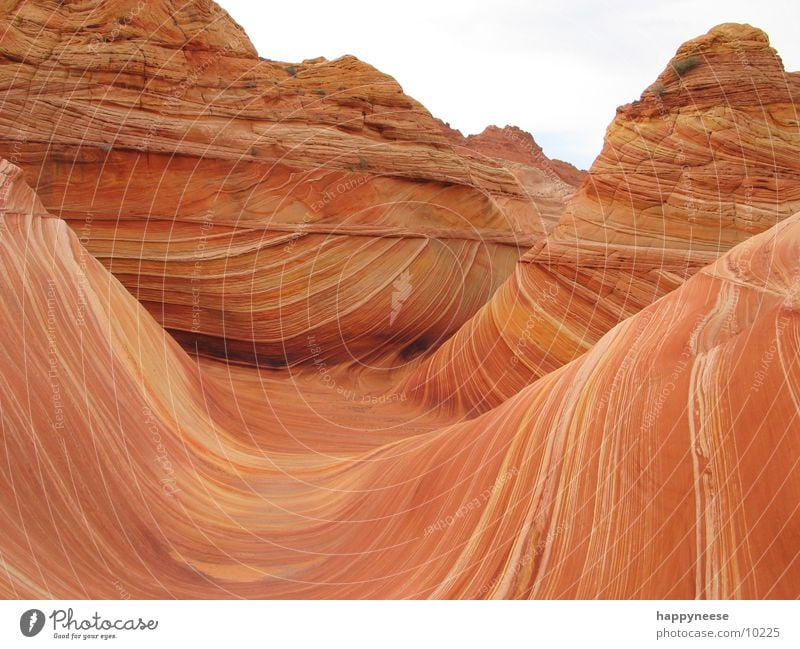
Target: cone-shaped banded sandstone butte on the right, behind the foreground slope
[(705, 159)]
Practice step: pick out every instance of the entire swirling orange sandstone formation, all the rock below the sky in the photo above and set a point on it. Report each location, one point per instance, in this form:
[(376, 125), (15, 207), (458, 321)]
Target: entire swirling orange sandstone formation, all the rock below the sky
[(653, 456)]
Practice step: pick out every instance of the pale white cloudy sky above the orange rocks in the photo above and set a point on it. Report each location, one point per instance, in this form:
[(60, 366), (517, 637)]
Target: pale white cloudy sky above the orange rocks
[(557, 69)]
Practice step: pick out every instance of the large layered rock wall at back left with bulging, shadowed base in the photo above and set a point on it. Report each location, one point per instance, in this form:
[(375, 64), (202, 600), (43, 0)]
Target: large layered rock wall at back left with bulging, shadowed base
[(251, 204)]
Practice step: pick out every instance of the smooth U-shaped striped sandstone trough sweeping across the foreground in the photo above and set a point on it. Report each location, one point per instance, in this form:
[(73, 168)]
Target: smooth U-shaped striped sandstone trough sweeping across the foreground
[(661, 464)]
